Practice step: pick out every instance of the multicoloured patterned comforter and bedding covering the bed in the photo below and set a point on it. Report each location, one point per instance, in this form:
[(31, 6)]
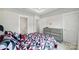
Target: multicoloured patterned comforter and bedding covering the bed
[(32, 41)]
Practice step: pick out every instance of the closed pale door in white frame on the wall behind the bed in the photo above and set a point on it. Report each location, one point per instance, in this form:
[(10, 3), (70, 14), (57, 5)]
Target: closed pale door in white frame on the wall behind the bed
[(23, 25)]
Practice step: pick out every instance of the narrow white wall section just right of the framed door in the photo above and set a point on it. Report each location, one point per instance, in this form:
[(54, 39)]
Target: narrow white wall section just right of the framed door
[(32, 27)]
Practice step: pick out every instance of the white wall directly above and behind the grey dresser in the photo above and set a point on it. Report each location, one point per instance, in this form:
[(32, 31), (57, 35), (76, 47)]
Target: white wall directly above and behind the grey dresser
[(51, 22)]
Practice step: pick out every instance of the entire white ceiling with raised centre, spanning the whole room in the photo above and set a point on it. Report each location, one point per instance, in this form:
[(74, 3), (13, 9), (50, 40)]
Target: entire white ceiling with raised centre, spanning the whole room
[(42, 12)]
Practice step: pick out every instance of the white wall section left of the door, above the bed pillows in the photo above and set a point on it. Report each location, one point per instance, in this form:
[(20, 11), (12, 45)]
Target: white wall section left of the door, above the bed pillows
[(10, 21)]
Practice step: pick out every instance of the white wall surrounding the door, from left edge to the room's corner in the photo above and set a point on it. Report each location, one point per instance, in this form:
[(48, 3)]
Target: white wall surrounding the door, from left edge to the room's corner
[(11, 21)]
